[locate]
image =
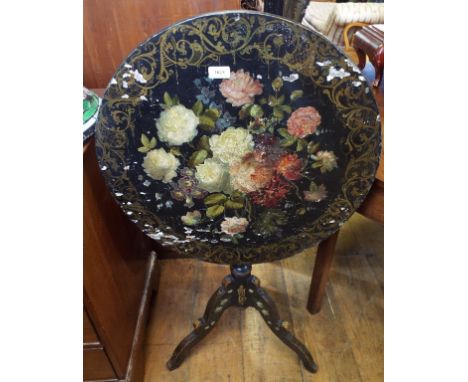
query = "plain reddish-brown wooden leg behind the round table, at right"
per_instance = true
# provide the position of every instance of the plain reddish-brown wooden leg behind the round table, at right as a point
(323, 262)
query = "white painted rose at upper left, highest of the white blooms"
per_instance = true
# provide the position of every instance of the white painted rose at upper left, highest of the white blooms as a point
(177, 125)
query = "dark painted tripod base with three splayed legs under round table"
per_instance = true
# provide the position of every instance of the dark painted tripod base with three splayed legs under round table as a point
(241, 289)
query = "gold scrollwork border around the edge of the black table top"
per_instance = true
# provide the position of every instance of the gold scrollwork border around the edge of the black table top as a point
(200, 42)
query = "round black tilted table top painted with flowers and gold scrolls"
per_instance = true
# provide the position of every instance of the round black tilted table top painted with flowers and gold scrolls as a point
(238, 137)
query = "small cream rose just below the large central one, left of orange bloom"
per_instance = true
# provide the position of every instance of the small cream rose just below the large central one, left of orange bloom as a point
(212, 175)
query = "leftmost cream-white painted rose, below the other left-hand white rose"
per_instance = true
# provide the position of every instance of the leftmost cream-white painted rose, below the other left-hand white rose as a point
(161, 165)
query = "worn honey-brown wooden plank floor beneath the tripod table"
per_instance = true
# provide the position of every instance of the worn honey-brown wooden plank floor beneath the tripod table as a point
(345, 338)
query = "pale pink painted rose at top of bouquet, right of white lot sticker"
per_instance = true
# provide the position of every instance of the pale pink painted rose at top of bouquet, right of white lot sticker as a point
(240, 89)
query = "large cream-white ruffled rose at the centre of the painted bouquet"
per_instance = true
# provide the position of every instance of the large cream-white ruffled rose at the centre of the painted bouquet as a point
(231, 145)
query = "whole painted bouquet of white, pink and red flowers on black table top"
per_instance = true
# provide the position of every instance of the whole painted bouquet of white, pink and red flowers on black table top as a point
(248, 165)
